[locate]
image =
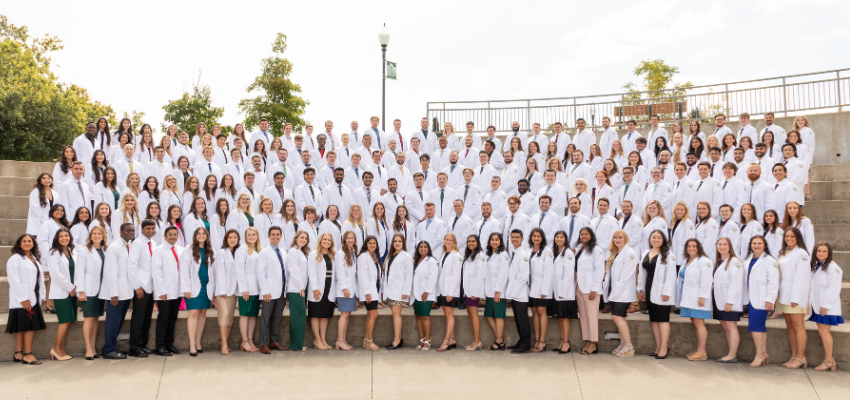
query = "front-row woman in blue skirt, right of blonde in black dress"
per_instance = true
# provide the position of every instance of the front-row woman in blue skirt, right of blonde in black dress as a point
(345, 277)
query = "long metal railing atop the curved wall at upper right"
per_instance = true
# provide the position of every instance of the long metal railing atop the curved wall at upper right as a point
(824, 90)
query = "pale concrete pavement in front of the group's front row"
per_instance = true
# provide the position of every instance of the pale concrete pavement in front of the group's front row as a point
(409, 373)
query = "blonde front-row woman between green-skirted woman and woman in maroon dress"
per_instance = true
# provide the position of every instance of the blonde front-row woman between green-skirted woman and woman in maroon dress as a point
(449, 287)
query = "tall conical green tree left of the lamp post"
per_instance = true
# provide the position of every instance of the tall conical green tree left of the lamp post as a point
(277, 98)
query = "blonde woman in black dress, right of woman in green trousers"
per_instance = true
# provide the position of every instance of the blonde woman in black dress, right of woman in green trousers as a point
(322, 289)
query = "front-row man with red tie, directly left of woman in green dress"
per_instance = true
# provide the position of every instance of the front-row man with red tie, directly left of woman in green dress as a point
(166, 289)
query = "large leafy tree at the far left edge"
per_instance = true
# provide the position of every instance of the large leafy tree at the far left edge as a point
(38, 114)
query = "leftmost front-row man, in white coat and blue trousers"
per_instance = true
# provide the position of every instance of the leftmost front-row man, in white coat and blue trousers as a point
(116, 290)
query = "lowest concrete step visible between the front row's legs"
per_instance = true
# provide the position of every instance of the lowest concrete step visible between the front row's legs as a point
(682, 337)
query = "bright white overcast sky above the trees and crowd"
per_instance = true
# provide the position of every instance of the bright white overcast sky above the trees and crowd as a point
(138, 55)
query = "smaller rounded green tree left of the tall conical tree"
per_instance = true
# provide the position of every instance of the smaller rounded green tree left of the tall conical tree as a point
(191, 109)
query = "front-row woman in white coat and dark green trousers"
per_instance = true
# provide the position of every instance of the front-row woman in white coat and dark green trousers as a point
(296, 285)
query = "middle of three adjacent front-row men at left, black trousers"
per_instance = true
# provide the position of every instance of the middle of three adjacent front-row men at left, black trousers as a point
(141, 280)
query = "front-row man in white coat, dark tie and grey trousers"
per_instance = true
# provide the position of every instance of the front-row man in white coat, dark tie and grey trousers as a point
(271, 279)
